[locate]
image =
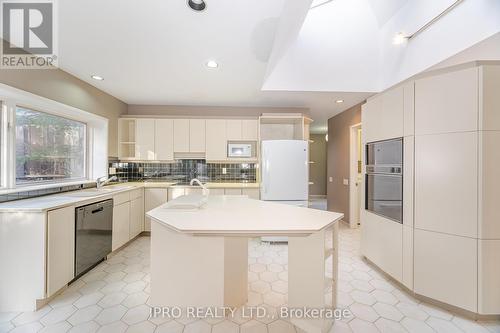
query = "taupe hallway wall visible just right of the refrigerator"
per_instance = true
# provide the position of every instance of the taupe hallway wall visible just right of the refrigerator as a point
(317, 170)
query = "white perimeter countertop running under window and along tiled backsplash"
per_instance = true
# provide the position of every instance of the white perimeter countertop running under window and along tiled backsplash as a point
(59, 200)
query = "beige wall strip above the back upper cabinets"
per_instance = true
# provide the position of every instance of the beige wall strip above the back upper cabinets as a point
(207, 111)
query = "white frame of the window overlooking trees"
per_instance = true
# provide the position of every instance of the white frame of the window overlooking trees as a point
(47, 182)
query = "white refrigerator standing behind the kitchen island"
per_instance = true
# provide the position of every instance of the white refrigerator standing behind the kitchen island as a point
(284, 174)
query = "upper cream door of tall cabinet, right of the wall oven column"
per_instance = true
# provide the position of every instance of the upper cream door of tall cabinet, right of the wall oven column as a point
(447, 103)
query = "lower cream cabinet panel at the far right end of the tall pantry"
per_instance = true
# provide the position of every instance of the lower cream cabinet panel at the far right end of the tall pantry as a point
(489, 275)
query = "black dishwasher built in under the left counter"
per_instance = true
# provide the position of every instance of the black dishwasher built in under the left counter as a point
(93, 235)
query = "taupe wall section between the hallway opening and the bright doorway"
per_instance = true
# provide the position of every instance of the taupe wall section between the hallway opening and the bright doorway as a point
(338, 159)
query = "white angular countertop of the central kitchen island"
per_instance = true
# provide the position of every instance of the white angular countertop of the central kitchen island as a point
(239, 215)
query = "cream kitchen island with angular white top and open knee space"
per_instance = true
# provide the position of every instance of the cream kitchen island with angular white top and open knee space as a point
(199, 257)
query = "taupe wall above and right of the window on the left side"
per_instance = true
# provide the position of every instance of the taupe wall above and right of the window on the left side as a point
(62, 87)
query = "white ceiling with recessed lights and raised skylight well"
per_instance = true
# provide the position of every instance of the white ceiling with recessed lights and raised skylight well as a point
(271, 52)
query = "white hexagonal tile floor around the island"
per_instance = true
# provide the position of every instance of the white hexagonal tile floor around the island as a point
(113, 298)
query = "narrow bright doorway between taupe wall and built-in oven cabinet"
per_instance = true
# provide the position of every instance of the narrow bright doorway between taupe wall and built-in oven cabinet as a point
(355, 175)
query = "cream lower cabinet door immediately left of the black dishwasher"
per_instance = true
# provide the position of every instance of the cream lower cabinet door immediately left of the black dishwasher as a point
(60, 248)
